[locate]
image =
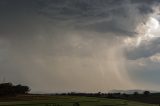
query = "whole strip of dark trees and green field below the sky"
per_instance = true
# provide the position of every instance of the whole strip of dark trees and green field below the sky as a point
(14, 95)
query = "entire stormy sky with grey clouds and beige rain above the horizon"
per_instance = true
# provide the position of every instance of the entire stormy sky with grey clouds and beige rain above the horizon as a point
(80, 45)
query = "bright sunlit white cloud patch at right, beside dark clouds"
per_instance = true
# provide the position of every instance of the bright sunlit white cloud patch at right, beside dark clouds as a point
(147, 32)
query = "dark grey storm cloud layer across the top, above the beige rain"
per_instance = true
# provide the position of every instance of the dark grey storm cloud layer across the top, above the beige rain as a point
(94, 15)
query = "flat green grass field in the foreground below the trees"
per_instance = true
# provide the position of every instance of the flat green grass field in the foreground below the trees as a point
(66, 101)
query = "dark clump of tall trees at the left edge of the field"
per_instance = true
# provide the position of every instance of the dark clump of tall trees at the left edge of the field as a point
(8, 89)
